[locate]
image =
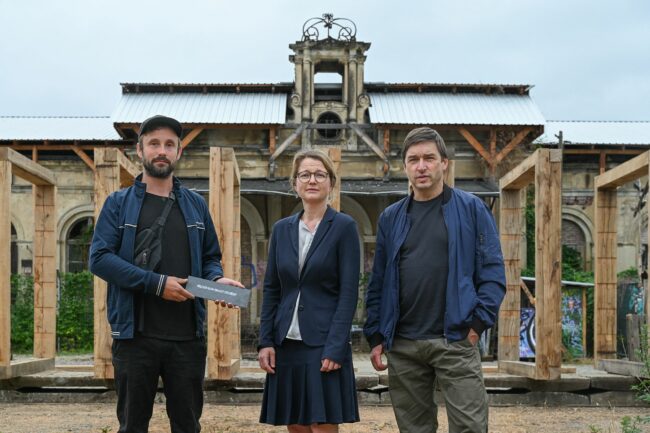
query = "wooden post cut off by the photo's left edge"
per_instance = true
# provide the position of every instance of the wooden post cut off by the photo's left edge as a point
(5, 265)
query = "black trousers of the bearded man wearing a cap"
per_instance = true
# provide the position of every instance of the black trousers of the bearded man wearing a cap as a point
(139, 362)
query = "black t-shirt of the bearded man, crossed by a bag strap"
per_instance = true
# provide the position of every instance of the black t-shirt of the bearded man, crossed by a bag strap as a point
(155, 316)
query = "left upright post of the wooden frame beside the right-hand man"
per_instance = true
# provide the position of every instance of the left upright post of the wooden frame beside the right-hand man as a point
(510, 228)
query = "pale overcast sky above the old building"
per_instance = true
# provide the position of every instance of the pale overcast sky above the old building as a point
(587, 59)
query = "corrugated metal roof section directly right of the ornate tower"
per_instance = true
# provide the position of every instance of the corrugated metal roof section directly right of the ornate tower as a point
(454, 109)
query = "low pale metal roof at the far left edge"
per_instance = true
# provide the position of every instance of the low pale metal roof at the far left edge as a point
(57, 128)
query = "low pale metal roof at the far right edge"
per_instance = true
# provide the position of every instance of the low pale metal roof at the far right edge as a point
(597, 132)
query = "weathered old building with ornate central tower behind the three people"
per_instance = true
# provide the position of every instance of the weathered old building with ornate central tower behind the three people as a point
(489, 129)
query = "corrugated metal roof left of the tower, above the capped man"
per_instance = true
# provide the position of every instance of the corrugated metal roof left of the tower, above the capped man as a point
(219, 108)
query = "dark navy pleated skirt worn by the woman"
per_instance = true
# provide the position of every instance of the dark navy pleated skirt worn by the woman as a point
(298, 393)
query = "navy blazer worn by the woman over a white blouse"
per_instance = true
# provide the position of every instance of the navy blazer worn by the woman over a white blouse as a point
(329, 284)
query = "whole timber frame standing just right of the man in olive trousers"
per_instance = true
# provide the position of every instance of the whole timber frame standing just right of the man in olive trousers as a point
(544, 169)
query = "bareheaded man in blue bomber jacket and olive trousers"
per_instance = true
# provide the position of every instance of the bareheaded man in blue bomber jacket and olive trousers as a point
(437, 282)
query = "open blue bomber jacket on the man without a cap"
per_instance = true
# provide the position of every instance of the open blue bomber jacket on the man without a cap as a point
(476, 279)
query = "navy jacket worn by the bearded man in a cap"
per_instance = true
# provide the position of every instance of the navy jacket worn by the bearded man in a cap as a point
(111, 253)
